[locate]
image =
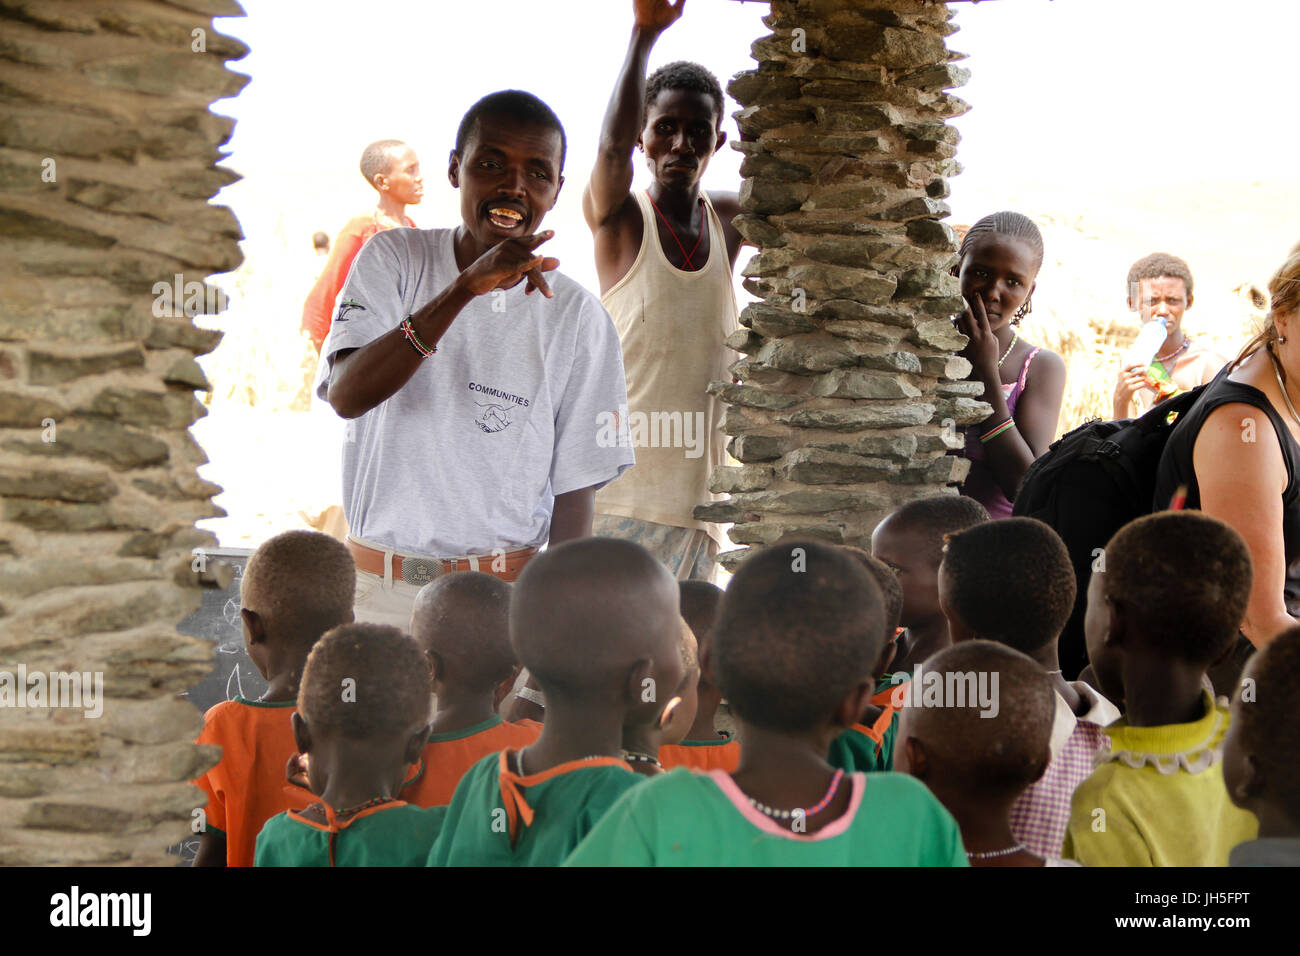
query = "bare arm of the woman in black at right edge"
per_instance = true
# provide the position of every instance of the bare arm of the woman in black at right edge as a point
(1241, 474)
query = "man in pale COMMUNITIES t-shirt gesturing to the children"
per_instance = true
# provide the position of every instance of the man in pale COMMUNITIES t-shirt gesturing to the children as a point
(475, 383)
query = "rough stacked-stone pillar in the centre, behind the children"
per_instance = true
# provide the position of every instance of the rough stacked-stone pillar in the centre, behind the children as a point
(850, 392)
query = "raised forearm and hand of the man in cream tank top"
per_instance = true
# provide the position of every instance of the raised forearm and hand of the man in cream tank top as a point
(612, 178)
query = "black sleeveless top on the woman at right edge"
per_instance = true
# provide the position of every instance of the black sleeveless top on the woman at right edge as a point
(1176, 468)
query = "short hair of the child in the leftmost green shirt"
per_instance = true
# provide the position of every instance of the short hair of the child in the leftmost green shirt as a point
(366, 682)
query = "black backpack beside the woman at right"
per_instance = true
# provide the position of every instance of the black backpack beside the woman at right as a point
(1089, 486)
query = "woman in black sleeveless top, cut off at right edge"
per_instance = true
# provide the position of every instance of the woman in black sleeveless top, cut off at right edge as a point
(1238, 455)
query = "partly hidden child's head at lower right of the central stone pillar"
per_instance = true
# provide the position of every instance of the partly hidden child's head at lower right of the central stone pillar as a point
(912, 543)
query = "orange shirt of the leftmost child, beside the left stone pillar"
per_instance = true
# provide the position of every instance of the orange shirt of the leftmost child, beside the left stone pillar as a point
(249, 786)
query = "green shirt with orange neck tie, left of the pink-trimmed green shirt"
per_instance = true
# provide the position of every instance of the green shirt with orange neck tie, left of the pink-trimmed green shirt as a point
(566, 802)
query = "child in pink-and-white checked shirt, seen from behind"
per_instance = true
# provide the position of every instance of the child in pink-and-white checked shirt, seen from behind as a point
(1012, 582)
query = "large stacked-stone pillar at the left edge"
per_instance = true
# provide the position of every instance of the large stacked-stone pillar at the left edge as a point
(109, 157)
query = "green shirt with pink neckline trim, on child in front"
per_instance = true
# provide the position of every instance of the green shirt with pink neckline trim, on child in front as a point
(704, 820)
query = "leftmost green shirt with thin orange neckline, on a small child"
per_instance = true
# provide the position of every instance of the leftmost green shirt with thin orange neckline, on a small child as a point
(396, 836)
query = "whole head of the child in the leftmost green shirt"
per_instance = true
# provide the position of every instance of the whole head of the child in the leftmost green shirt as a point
(363, 707)
